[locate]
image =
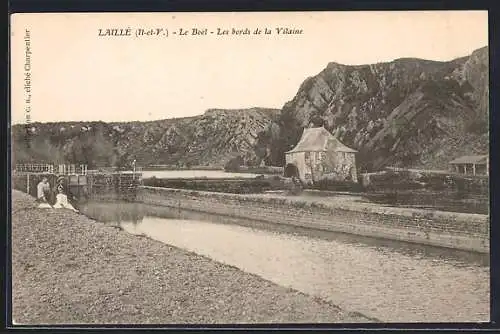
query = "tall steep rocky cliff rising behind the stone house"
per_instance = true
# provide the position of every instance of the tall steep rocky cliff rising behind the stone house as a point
(409, 112)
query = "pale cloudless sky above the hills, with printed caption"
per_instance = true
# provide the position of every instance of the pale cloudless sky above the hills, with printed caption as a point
(77, 75)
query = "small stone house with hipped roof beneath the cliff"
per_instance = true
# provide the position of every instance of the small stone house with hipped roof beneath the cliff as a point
(319, 155)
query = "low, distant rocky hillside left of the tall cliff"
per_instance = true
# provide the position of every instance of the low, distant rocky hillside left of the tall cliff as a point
(209, 139)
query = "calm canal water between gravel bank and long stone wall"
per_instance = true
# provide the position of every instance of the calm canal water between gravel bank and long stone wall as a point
(388, 280)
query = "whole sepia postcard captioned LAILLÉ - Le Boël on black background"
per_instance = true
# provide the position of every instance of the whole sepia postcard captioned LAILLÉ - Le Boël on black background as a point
(250, 168)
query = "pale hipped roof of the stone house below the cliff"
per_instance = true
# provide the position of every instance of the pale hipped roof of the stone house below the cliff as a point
(319, 139)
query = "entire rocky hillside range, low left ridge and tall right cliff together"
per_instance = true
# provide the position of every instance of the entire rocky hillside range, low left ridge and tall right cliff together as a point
(408, 113)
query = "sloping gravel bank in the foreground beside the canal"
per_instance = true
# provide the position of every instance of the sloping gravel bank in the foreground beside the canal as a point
(69, 269)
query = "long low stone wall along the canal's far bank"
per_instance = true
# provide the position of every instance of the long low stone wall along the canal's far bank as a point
(437, 228)
